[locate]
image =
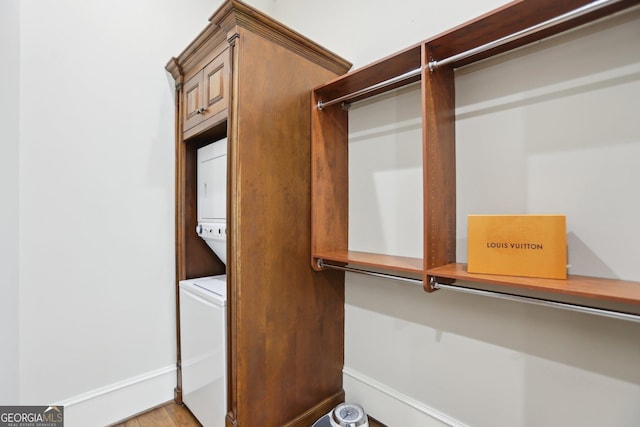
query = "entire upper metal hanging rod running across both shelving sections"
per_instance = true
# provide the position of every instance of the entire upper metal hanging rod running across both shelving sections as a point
(434, 64)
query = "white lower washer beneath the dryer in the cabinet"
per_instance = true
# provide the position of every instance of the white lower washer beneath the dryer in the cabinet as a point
(203, 338)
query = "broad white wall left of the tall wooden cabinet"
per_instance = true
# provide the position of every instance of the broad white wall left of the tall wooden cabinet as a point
(97, 314)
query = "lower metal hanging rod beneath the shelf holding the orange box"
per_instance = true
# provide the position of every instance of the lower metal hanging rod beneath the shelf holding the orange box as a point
(538, 301)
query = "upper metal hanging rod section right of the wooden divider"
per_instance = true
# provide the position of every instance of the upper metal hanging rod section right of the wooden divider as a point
(591, 7)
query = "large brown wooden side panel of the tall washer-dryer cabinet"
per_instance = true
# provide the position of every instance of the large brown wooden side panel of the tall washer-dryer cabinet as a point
(289, 319)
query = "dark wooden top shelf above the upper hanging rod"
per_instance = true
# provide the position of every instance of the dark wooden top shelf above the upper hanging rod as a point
(489, 35)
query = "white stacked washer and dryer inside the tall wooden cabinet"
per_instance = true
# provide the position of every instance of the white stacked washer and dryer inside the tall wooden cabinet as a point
(203, 301)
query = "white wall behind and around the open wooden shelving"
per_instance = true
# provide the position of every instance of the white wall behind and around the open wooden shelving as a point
(552, 128)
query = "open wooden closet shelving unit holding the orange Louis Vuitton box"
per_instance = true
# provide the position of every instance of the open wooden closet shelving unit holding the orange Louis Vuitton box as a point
(432, 62)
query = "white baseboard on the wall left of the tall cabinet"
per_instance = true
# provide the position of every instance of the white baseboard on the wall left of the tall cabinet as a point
(121, 400)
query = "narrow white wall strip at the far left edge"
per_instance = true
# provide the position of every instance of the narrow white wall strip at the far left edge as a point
(9, 135)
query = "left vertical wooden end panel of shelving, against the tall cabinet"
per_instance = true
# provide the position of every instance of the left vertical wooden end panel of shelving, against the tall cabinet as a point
(329, 180)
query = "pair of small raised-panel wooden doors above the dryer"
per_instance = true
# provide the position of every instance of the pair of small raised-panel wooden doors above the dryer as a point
(206, 95)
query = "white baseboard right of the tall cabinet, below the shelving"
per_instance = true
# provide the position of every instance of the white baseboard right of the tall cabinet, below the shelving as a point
(390, 406)
